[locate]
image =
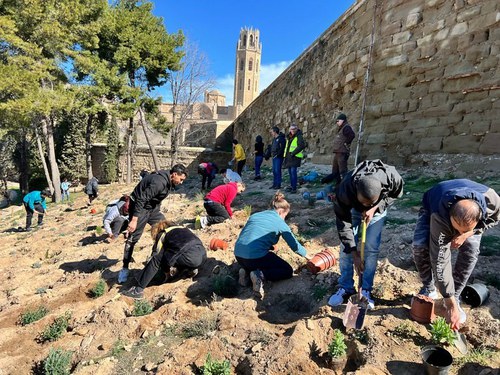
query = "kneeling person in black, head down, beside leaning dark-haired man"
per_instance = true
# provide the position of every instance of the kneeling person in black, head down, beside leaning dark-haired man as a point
(177, 251)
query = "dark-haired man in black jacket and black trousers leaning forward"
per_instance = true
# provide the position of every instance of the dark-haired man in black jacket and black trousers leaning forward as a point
(145, 202)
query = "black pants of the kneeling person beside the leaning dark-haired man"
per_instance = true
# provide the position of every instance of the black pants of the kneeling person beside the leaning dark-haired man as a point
(190, 257)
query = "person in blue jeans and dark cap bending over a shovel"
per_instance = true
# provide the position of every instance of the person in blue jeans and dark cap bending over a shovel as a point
(363, 194)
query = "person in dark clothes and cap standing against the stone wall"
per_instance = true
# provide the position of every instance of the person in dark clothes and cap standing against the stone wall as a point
(341, 150)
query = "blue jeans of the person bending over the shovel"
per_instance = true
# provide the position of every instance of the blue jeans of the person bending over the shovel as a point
(372, 245)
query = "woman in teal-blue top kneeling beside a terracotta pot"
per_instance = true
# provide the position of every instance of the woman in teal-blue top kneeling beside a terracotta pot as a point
(253, 247)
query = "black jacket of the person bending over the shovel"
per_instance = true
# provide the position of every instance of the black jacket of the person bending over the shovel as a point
(346, 196)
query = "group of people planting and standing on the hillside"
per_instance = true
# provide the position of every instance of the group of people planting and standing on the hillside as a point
(454, 215)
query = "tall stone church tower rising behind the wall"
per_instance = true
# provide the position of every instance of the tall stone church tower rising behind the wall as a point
(246, 77)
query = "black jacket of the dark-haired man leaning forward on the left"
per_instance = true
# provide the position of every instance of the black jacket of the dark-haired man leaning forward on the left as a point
(149, 193)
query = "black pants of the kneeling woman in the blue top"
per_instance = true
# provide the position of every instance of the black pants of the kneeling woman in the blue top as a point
(272, 266)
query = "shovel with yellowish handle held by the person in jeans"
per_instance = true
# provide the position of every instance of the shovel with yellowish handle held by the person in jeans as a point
(355, 312)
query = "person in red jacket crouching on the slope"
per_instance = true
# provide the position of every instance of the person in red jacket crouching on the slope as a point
(217, 203)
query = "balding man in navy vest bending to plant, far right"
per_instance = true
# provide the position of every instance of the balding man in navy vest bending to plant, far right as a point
(454, 214)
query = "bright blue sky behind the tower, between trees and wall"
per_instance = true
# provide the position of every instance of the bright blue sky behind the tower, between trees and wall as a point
(286, 29)
